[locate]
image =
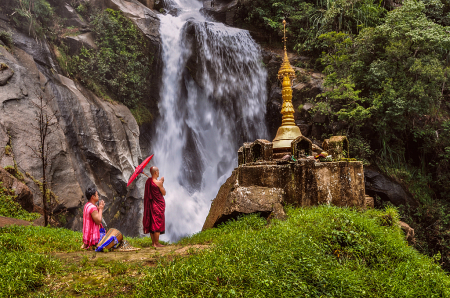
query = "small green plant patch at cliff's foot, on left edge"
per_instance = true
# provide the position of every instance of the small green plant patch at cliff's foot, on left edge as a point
(10, 208)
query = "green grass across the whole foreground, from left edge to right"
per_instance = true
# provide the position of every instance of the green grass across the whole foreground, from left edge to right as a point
(317, 252)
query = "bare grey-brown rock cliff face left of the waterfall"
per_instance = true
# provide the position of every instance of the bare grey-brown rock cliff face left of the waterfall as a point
(94, 141)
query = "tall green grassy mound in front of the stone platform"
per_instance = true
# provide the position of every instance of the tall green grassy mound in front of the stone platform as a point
(317, 252)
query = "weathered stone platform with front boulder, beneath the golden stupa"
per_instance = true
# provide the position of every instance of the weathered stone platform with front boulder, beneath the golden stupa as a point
(266, 186)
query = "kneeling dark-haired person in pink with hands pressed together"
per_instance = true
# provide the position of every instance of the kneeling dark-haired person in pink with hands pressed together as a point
(92, 218)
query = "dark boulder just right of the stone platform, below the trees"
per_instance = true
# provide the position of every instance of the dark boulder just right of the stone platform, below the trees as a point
(377, 184)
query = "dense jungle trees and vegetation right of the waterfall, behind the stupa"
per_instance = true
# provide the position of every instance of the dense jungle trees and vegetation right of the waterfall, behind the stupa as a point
(387, 67)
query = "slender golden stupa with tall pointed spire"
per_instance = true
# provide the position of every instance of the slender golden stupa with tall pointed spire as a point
(288, 131)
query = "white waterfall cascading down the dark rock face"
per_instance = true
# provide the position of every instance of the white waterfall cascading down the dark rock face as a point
(206, 112)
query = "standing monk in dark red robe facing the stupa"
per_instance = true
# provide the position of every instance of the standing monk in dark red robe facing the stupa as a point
(154, 207)
